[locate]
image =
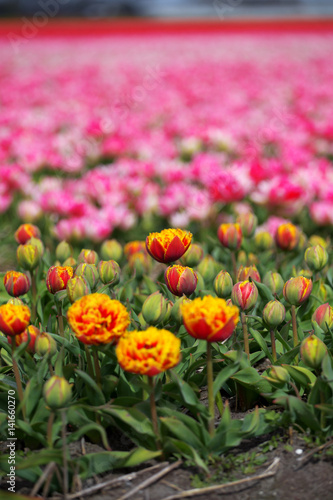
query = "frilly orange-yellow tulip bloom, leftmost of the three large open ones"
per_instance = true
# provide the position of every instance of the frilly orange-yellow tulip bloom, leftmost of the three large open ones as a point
(96, 319)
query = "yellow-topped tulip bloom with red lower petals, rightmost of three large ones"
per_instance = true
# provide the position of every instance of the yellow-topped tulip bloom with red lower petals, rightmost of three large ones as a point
(209, 318)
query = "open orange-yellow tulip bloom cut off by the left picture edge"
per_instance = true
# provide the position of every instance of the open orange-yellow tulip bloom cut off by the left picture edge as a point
(14, 319)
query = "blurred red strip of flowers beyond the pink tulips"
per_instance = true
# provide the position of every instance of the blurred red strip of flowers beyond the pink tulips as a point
(88, 27)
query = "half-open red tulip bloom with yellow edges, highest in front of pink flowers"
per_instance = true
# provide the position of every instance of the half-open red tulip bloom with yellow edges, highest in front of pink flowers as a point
(168, 245)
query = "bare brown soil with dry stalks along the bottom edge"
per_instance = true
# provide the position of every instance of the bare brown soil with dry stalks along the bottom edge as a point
(298, 476)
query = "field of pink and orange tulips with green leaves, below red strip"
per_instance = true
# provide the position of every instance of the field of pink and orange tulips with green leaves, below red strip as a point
(166, 279)
